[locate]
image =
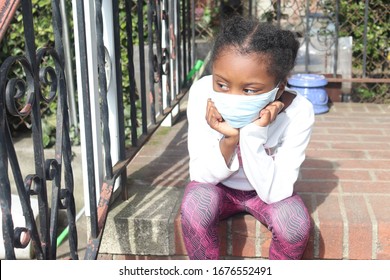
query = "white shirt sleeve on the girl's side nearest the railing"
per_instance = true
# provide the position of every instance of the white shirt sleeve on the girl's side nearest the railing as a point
(206, 160)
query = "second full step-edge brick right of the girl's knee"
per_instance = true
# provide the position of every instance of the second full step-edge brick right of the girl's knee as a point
(359, 228)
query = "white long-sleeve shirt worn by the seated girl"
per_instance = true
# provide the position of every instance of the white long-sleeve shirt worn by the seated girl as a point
(268, 158)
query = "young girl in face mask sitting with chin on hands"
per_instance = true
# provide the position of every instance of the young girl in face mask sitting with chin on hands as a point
(247, 137)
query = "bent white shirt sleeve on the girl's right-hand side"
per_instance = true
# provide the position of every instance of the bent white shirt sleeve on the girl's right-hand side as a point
(273, 177)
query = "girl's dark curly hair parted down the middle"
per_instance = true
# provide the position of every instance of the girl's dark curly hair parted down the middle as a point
(277, 47)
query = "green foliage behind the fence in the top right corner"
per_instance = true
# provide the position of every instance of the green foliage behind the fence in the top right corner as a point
(377, 47)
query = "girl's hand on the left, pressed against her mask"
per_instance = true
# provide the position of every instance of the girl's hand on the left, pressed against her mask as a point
(216, 122)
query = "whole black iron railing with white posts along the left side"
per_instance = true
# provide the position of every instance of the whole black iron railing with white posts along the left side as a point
(106, 77)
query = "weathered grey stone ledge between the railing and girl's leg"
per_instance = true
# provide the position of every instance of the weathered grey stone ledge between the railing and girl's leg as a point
(144, 224)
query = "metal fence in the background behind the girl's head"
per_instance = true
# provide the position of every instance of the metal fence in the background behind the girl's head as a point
(346, 40)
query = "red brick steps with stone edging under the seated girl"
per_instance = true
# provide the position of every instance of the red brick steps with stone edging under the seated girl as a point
(344, 181)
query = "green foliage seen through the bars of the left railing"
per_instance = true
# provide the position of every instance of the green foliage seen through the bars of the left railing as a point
(13, 44)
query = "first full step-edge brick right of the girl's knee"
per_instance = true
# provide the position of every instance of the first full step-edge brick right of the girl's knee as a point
(331, 227)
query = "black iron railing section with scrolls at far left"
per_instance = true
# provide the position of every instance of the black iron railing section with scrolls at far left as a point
(43, 82)
